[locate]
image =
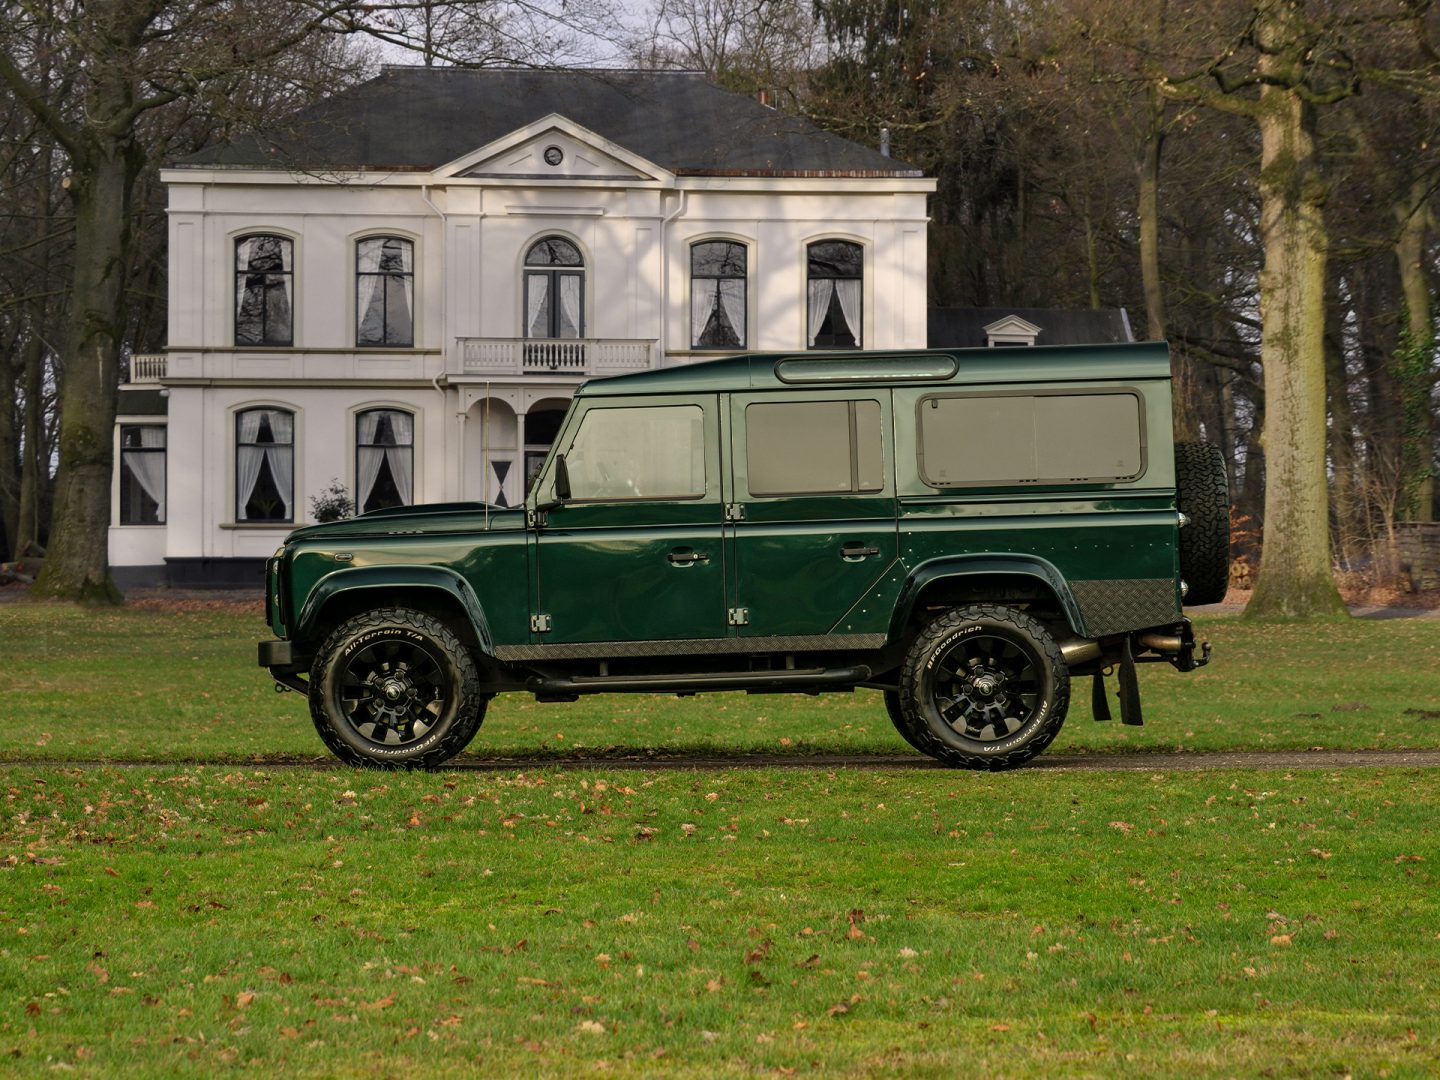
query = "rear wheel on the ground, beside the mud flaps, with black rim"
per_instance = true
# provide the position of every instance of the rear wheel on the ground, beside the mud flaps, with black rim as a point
(1016, 672)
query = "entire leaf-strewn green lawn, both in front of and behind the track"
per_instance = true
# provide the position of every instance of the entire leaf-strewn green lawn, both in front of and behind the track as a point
(185, 919)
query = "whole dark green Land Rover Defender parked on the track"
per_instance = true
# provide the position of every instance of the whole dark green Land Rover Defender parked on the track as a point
(963, 531)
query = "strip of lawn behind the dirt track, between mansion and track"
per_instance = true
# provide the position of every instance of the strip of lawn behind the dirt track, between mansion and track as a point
(143, 685)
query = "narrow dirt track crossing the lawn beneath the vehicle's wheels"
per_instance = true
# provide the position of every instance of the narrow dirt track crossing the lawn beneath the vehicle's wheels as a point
(679, 762)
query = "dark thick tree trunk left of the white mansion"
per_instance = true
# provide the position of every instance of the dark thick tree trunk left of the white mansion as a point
(77, 564)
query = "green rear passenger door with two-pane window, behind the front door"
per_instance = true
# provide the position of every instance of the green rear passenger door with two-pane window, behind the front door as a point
(814, 480)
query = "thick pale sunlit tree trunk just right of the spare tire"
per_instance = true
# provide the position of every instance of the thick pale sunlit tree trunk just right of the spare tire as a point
(1295, 562)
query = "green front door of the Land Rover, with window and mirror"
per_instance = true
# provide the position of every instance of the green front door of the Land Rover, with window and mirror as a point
(637, 551)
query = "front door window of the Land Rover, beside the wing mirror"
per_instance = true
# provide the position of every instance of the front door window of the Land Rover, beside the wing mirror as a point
(639, 453)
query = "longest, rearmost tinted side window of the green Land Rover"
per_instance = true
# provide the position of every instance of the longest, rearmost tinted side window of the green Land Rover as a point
(1039, 438)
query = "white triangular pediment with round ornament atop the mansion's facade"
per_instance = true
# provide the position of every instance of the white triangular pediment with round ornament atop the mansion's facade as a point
(557, 149)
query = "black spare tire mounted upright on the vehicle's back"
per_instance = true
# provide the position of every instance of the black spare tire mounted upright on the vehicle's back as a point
(1203, 496)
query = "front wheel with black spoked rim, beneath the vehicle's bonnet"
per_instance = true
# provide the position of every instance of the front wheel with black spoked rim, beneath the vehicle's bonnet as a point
(437, 666)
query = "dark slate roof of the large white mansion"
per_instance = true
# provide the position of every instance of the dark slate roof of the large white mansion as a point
(420, 119)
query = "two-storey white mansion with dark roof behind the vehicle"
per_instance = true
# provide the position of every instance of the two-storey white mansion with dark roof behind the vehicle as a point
(402, 287)
